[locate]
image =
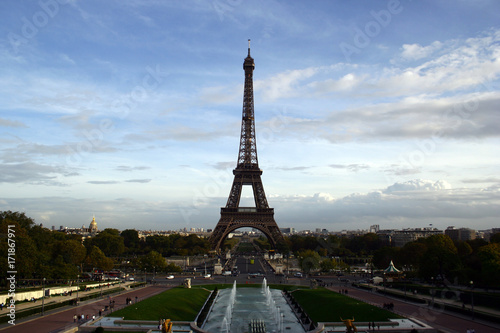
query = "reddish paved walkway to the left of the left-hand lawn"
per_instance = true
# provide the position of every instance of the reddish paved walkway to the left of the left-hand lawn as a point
(62, 318)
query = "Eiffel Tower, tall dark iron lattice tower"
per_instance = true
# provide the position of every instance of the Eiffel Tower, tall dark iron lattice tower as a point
(247, 172)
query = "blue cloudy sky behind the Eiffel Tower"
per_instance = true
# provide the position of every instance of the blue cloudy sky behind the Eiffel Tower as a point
(367, 112)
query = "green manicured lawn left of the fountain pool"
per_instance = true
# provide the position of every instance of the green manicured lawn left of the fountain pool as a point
(175, 304)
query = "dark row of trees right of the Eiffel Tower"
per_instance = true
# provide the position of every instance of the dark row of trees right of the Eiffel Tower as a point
(435, 258)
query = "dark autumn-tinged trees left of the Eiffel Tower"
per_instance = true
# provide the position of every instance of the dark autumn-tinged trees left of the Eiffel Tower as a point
(42, 253)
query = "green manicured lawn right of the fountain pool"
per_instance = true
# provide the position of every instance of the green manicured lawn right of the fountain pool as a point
(323, 305)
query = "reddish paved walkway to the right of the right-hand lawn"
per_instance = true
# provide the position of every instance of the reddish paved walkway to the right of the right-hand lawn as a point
(438, 318)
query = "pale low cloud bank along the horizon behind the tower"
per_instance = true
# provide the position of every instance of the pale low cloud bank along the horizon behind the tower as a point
(415, 203)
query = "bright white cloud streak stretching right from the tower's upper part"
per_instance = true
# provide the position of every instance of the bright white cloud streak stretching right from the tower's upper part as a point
(459, 65)
